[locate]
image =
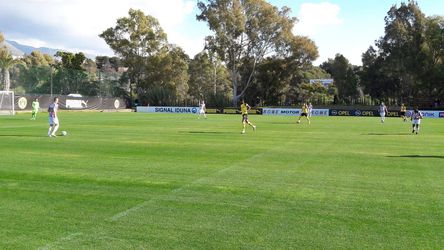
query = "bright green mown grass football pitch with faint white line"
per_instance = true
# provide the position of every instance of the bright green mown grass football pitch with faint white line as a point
(144, 181)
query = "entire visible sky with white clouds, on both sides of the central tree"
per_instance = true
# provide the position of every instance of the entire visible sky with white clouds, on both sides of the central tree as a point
(348, 27)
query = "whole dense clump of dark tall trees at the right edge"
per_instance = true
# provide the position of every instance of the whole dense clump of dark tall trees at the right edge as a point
(408, 61)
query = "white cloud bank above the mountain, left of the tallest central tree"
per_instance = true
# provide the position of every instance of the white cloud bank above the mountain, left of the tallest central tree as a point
(77, 23)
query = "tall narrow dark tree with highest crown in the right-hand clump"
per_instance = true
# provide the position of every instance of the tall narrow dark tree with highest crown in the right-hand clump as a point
(400, 47)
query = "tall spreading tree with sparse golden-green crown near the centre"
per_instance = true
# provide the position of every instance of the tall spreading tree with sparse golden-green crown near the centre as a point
(245, 32)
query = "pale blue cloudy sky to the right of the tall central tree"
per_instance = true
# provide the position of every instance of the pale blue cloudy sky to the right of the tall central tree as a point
(350, 26)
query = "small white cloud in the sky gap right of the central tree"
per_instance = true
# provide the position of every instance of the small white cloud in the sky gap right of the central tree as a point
(313, 17)
